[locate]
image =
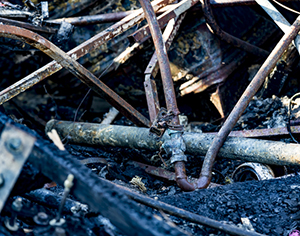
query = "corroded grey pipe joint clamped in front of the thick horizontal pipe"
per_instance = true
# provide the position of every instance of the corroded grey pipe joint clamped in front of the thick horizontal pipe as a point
(175, 146)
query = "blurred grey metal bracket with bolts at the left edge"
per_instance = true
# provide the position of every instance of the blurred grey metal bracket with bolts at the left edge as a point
(15, 147)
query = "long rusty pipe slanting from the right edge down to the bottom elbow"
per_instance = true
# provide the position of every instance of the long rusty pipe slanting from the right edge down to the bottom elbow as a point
(243, 102)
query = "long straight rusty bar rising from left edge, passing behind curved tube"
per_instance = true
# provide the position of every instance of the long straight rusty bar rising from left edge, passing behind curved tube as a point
(78, 52)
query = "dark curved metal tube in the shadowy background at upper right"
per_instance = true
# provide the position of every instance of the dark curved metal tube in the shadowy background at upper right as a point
(215, 28)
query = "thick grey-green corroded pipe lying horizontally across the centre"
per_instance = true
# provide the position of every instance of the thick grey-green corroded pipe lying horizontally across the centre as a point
(248, 149)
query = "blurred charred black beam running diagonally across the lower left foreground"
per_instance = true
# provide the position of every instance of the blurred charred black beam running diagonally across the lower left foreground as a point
(101, 196)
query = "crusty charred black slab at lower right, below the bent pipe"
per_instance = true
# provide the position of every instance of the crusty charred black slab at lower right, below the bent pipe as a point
(272, 206)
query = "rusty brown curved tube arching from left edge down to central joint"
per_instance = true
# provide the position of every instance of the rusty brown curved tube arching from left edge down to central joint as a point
(75, 68)
